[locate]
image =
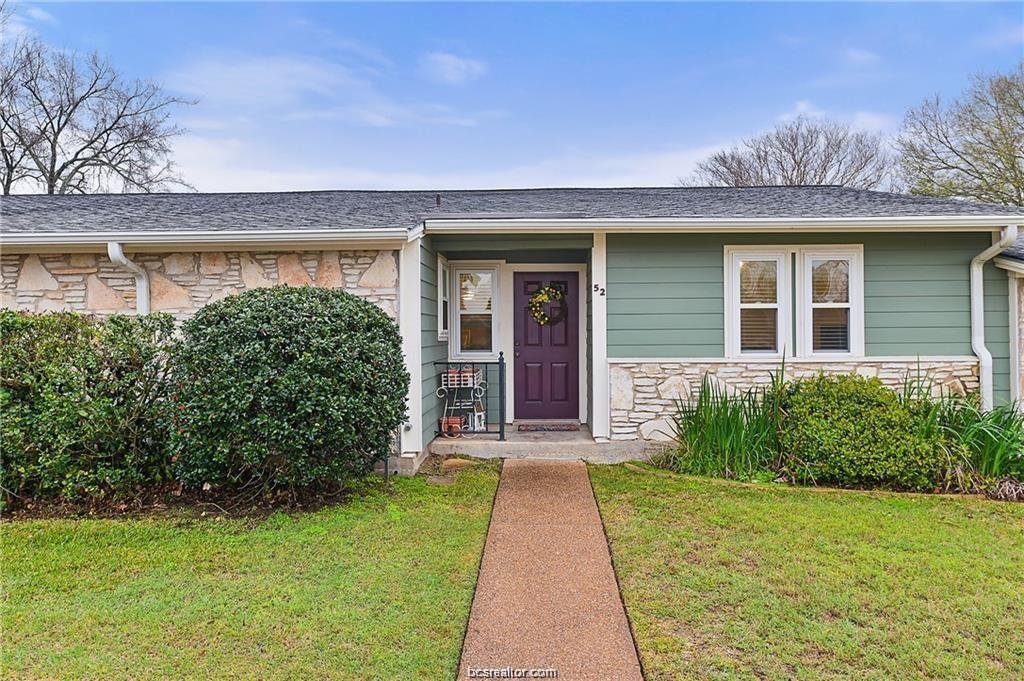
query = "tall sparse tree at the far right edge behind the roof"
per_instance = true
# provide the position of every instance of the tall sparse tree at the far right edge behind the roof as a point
(972, 149)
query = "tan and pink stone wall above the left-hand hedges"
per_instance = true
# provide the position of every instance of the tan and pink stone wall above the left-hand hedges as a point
(182, 283)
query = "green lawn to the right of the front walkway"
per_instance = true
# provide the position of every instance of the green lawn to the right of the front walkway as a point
(724, 580)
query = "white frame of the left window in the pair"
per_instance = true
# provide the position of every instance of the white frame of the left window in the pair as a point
(784, 301)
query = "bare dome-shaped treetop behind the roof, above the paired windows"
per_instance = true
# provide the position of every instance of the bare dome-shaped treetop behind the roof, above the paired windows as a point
(804, 151)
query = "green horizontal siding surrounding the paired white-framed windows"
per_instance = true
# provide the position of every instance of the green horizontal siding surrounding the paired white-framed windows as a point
(666, 295)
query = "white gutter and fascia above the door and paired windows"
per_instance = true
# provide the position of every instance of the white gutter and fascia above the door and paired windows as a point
(780, 225)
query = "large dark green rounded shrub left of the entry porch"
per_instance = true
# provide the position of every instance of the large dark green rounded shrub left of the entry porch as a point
(286, 389)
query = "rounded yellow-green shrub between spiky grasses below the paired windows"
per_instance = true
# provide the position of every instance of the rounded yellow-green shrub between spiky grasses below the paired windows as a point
(855, 432)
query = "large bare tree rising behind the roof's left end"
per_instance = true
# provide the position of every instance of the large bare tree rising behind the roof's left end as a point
(72, 124)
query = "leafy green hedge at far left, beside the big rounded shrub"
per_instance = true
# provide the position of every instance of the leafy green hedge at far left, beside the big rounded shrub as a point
(83, 404)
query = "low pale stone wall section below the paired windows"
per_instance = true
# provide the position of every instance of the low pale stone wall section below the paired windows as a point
(644, 395)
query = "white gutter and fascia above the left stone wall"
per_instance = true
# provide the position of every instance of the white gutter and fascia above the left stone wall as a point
(202, 238)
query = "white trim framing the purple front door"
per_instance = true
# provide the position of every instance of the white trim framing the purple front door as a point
(506, 316)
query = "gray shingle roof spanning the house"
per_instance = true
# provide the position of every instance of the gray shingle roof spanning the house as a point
(369, 210)
